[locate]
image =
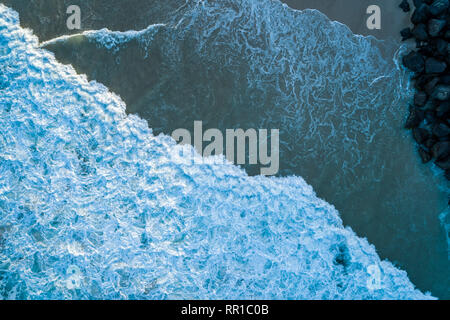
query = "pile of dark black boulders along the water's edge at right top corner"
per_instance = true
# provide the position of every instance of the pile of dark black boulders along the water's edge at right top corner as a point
(429, 116)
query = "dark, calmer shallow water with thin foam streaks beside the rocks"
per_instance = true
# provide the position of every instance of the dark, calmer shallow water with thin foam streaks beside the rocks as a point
(339, 99)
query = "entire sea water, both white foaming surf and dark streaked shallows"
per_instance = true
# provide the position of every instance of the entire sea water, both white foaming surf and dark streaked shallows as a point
(338, 99)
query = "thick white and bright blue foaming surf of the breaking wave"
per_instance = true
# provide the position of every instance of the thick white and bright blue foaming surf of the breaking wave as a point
(94, 205)
